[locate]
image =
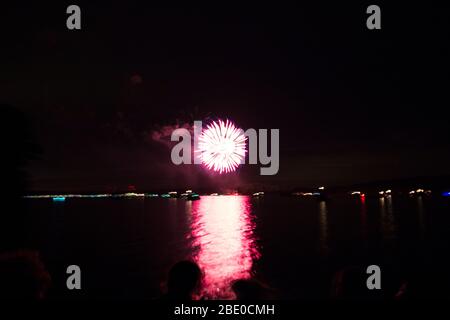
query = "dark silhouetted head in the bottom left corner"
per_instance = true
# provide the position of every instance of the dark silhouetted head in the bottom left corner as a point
(23, 276)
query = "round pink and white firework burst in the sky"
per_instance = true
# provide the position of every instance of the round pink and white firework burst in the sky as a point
(221, 146)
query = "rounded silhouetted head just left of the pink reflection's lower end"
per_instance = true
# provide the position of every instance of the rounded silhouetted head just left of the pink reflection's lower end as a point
(183, 281)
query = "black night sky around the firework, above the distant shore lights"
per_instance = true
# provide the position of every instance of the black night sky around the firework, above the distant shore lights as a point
(352, 105)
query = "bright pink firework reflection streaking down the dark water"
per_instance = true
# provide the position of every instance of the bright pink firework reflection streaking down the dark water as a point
(224, 243)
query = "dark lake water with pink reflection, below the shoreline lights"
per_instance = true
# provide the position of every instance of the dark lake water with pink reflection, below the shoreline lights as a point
(125, 247)
